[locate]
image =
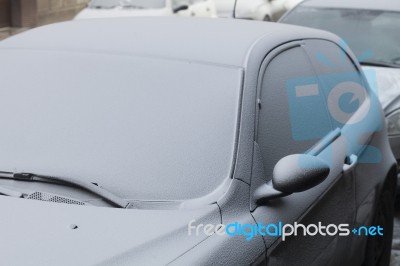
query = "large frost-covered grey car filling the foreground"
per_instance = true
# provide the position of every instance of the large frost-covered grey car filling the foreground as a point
(117, 142)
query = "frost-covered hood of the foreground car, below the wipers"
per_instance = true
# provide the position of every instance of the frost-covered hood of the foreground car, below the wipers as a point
(43, 233)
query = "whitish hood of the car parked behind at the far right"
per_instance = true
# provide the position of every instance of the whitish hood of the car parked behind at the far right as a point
(388, 81)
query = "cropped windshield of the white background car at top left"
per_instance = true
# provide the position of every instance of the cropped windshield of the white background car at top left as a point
(141, 4)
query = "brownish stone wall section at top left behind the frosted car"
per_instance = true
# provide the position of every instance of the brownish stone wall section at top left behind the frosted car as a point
(50, 11)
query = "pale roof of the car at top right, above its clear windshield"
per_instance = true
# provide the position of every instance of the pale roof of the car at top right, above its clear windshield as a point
(386, 5)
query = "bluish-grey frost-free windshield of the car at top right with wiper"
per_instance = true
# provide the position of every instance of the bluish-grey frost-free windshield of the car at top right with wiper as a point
(373, 35)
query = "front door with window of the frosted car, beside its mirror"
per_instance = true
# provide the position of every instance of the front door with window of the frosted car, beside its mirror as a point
(302, 94)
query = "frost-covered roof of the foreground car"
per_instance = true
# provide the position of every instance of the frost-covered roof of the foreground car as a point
(215, 41)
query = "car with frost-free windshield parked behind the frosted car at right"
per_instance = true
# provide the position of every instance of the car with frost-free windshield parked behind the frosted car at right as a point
(364, 25)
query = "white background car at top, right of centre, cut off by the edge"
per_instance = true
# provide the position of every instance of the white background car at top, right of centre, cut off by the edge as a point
(266, 10)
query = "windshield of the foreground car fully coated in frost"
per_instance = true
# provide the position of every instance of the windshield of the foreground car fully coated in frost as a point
(142, 128)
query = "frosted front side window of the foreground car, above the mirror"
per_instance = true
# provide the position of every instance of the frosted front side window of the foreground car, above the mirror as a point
(293, 114)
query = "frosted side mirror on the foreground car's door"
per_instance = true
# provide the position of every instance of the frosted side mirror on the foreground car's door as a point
(293, 173)
